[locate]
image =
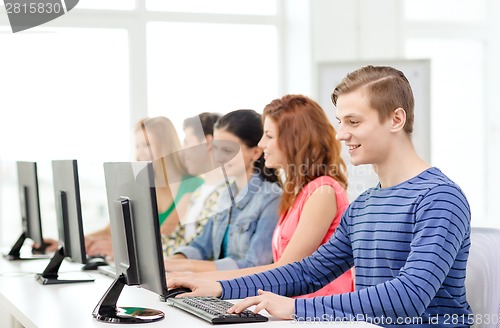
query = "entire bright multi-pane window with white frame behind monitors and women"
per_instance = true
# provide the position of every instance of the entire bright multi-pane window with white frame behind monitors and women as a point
(76, 85)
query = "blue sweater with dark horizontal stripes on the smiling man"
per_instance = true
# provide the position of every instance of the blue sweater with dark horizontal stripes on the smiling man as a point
(409, 245)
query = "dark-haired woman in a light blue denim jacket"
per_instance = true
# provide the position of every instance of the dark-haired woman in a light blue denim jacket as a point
(238, 236)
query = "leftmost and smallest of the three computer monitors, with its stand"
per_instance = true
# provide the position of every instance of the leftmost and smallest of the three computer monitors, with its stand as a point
(30, 213)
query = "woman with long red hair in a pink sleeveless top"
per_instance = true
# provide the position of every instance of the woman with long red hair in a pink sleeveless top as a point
(300, 143)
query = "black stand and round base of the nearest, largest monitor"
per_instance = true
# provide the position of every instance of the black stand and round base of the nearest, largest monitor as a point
(107, 311)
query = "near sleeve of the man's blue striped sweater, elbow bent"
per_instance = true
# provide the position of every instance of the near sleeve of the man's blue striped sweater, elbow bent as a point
(442, 221)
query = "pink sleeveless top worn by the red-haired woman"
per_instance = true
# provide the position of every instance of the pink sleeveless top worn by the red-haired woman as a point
(288, 224)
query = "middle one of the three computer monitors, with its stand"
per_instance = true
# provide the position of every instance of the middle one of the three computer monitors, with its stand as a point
(69, 224)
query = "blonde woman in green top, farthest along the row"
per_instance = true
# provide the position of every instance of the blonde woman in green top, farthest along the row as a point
(157, 141)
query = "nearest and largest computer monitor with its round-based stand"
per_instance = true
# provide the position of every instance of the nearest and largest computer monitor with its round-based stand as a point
(136, 238)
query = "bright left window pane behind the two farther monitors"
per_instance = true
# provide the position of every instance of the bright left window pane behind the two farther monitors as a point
(64, 101)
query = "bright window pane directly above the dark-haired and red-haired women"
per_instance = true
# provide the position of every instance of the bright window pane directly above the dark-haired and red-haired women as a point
(210, 67)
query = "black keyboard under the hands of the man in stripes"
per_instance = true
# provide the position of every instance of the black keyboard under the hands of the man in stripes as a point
(214, 310)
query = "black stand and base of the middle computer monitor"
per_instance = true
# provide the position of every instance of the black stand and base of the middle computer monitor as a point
(51, 276)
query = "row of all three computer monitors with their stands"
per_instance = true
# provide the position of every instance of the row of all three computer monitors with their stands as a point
(134, 226)
